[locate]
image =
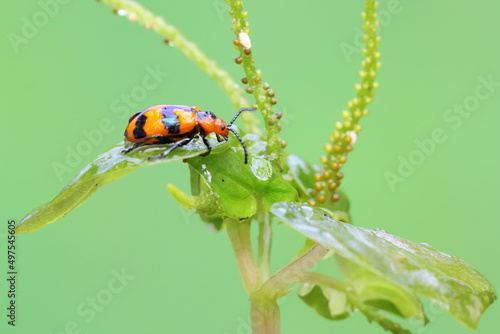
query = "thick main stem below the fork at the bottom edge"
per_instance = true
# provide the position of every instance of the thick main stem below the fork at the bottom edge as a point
(265, 316)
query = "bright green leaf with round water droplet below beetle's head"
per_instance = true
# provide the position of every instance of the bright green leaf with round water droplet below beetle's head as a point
(242, 189)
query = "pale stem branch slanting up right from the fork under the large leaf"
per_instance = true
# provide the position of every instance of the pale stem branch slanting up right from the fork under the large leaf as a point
(291, 273)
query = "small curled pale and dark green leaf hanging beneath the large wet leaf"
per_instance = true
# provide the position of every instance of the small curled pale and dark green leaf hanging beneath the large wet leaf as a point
(327, 302)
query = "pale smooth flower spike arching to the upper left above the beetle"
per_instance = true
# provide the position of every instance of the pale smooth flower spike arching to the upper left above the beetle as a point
(172, 35)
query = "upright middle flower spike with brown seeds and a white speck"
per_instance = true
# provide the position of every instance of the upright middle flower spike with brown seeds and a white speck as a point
(264, 98)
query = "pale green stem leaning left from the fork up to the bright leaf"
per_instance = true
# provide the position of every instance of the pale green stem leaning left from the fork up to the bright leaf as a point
(239, 235)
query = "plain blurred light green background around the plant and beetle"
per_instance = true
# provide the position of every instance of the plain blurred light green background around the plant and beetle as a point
(73, 71)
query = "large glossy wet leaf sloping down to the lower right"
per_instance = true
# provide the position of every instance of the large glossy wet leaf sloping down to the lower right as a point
(444, 279)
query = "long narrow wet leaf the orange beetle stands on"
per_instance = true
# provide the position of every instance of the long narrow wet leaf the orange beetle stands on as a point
(106, 168)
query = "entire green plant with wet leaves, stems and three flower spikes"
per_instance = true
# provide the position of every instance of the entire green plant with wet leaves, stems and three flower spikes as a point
(383, 273)
